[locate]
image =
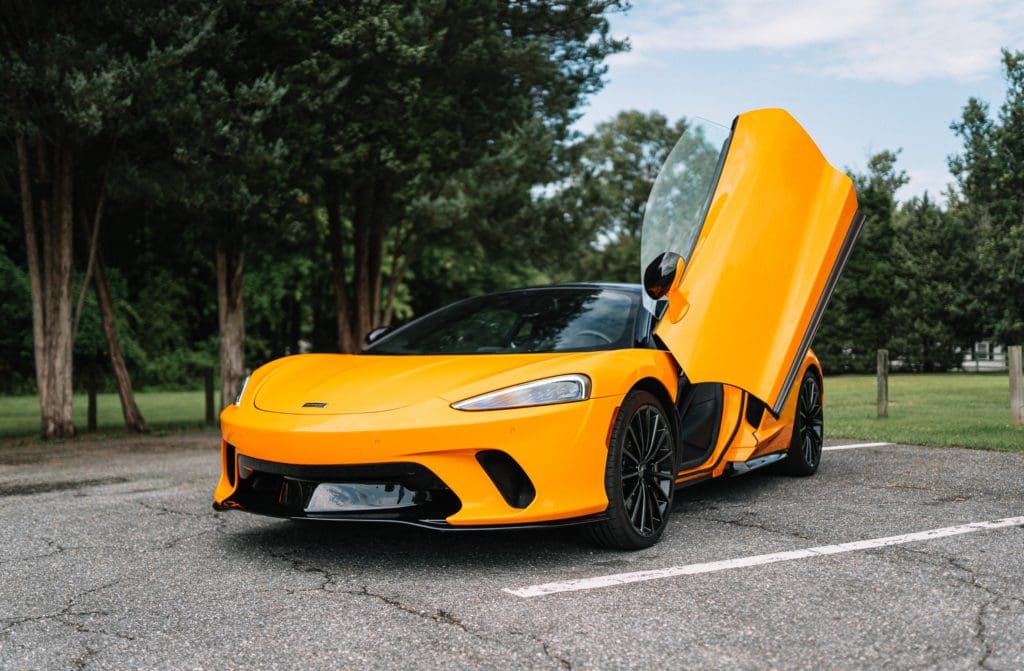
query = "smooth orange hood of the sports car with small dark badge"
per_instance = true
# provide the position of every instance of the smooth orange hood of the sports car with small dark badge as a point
(373, 384)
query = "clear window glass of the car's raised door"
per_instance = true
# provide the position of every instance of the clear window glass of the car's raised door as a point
(679, 199)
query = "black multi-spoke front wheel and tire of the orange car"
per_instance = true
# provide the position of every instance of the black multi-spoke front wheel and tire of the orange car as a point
(641, 476)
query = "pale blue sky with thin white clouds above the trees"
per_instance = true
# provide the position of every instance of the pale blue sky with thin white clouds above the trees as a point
(862, 77)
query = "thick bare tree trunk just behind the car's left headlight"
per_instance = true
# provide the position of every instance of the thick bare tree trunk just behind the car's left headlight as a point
(231, 318)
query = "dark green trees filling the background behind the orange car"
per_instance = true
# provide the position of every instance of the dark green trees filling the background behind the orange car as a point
(245, 181)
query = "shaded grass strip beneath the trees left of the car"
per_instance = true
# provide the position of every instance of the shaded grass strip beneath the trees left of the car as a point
(163, 411)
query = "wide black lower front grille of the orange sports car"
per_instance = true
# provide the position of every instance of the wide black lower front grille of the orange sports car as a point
(385, 492)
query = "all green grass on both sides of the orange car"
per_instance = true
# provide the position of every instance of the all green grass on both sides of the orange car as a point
(971, 411)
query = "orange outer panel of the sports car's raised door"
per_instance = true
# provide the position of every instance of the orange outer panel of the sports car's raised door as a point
(776, 230)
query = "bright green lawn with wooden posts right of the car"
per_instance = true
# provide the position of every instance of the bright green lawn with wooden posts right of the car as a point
(961, 410)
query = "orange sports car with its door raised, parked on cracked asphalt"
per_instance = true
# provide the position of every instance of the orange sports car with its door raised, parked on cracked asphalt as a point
(584, 404)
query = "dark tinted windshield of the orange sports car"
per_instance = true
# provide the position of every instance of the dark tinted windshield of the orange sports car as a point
(532, 321)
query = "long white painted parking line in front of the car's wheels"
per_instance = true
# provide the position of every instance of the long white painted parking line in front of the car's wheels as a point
(756, 561)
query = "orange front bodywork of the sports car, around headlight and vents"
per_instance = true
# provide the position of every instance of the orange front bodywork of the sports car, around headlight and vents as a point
(562, 447)
